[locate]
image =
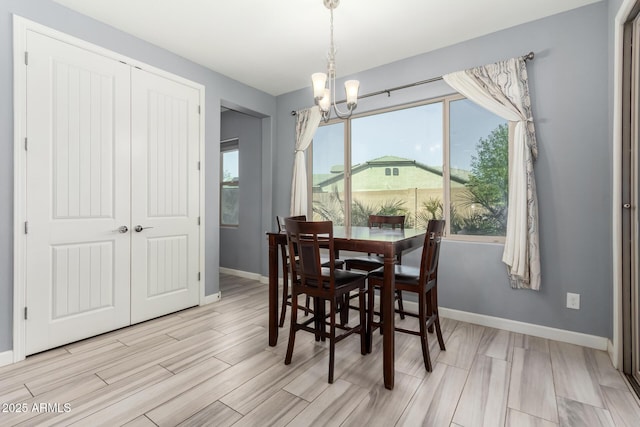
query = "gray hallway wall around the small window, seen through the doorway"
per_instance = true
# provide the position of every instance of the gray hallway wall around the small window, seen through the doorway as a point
(244, 257)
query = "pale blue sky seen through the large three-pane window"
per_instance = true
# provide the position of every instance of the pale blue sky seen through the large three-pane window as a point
(415, 133)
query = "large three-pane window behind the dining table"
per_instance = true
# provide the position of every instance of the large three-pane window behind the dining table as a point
(396, 167)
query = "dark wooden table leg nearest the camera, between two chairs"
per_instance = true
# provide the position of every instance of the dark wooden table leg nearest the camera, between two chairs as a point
(388, 320)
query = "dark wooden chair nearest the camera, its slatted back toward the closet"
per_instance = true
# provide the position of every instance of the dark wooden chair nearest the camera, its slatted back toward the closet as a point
(323, 284)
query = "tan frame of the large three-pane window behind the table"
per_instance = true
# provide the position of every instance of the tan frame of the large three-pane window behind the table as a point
(446, 154)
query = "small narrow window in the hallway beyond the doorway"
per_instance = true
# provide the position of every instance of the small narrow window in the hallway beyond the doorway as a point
(229, 182)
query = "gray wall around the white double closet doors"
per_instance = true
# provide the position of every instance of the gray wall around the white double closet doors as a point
(219, 89)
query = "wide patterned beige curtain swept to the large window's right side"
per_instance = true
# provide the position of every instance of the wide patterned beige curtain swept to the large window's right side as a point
(503, 89)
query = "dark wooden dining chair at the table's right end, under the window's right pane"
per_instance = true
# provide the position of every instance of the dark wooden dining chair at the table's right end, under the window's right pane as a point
(422, 281)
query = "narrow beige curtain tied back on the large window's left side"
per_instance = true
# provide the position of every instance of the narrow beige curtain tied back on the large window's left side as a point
(307, 122)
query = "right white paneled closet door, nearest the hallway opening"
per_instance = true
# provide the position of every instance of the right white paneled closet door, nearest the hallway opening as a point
(165, 196)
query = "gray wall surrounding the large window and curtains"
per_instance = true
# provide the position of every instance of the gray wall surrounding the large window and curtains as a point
(570, 96)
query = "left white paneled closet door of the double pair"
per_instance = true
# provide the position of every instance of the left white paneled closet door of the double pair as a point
(78, 193)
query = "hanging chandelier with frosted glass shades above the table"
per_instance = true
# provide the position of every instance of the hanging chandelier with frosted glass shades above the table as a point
(324, 84)
